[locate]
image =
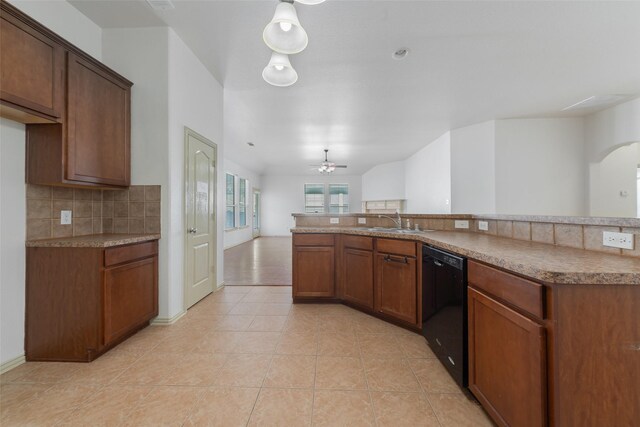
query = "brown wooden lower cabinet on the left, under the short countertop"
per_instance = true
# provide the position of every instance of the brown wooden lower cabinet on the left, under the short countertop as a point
(82, 301)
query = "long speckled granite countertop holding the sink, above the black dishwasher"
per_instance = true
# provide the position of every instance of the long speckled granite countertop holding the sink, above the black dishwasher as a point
(539, 261)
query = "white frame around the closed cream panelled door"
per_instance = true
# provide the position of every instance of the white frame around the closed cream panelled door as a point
(189, 132)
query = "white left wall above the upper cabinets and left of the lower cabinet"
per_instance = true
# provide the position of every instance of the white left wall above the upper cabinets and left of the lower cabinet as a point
(65, 20)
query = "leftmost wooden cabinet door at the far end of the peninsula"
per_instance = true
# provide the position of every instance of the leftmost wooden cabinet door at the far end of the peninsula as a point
(313, 271)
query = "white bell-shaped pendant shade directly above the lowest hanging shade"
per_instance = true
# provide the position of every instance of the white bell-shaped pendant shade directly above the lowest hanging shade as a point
(284, 34)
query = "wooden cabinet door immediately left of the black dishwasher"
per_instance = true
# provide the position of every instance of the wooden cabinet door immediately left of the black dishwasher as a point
(396, 286)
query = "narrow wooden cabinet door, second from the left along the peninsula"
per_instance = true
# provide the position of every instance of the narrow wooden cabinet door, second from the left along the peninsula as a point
(358, 277)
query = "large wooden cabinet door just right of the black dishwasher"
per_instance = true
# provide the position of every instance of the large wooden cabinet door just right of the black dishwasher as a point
(506, 363)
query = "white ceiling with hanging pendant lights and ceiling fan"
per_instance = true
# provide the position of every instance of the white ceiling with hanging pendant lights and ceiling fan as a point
(469, 62)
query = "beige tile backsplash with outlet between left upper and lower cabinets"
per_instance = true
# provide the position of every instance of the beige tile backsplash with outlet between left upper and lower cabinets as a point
(132, 211)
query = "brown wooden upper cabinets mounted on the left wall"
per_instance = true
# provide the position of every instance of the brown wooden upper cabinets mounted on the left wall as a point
(76, 109)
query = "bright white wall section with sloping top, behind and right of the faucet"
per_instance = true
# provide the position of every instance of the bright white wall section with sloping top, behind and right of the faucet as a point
(428, 178)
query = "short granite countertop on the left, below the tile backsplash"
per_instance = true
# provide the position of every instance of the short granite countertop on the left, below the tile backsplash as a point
(92, 241)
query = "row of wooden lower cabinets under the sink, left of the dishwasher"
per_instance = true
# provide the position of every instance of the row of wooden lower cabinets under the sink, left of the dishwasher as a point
(381, 283)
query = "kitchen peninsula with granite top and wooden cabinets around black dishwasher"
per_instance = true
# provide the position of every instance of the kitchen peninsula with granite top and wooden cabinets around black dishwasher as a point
(552, 340)
